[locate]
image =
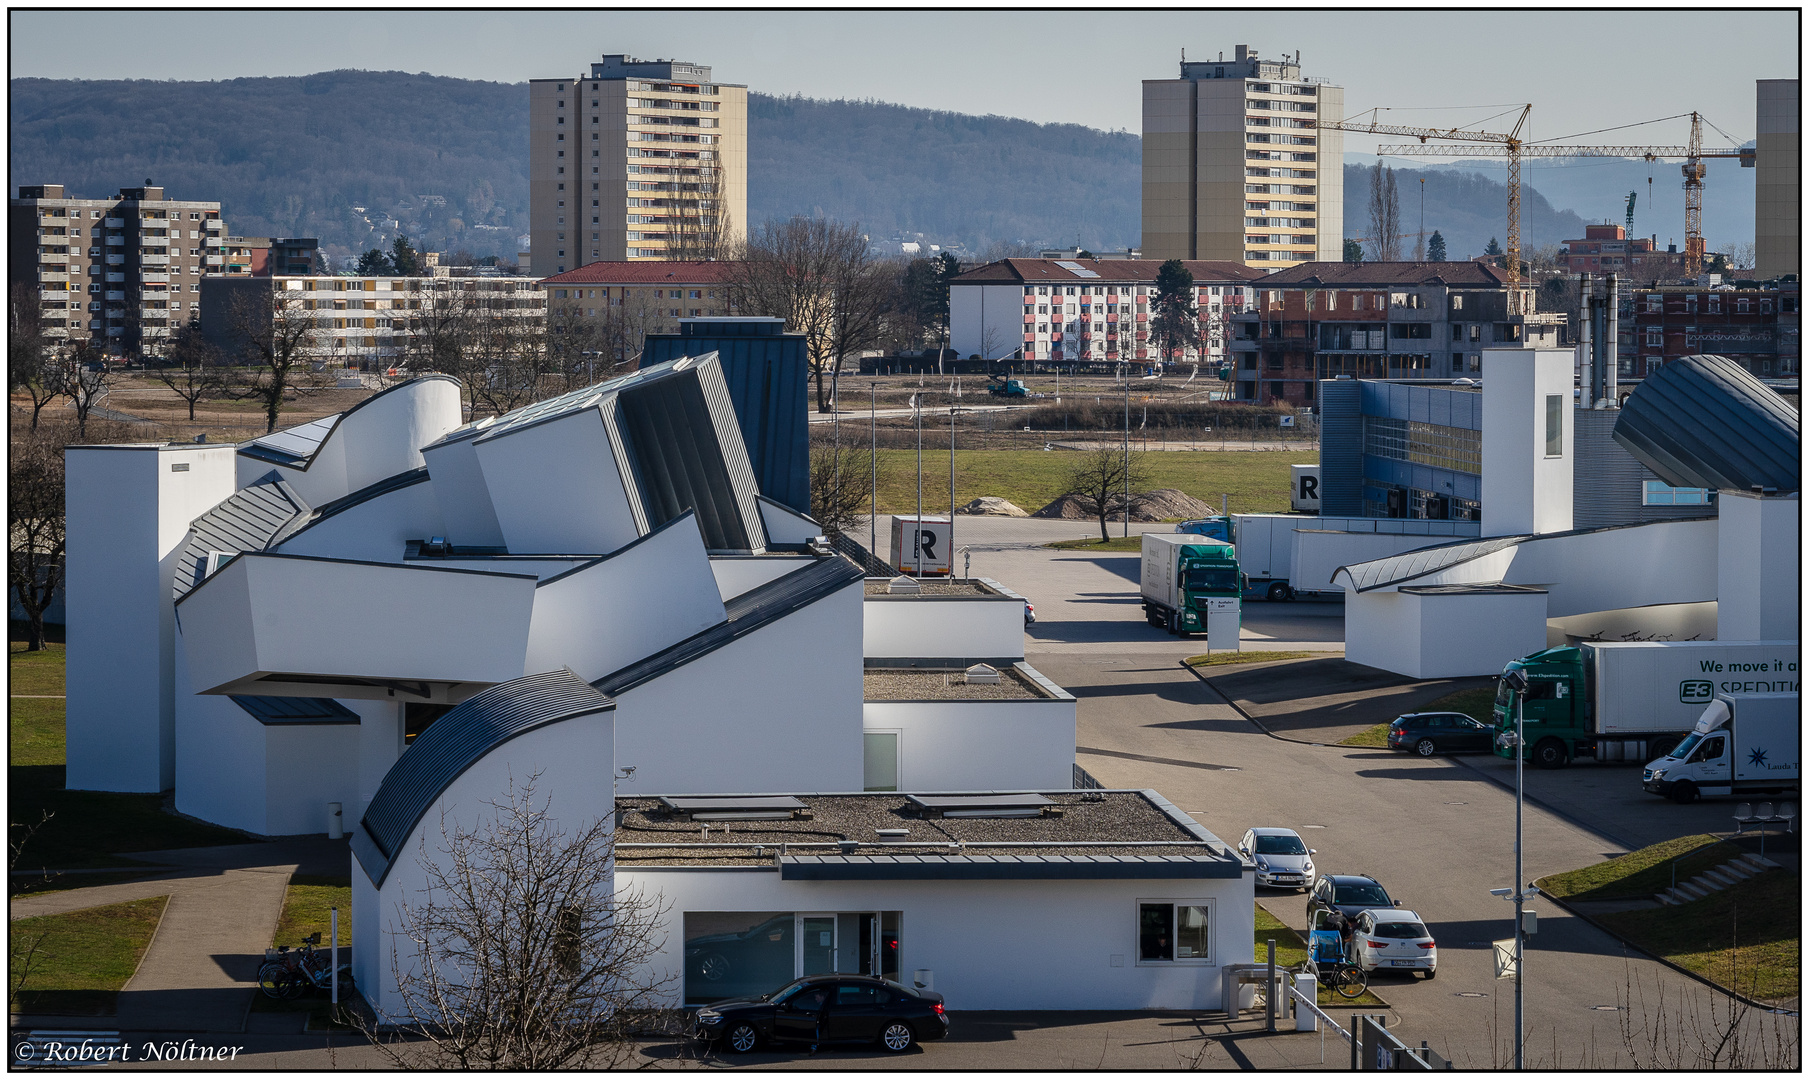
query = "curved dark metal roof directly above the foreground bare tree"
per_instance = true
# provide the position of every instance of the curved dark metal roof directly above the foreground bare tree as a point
(457, 743)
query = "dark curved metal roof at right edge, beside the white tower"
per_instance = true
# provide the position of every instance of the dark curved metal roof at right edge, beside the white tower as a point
(1709, 422)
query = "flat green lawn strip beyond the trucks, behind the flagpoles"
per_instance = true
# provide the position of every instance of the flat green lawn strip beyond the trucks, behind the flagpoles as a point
(1034, 478)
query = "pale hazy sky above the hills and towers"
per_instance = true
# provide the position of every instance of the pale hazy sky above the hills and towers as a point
(1582, 71)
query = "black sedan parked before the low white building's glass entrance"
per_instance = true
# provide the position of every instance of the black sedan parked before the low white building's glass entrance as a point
(828, 1010)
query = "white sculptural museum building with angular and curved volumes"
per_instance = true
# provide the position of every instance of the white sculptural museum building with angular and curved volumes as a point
(399, 614)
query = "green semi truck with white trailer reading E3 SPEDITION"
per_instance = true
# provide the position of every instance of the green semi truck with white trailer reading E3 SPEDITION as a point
(1631, 701)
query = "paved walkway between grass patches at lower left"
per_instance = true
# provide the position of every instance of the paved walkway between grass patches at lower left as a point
(202, 967)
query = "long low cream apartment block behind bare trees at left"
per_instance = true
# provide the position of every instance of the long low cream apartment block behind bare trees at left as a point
(365, 321)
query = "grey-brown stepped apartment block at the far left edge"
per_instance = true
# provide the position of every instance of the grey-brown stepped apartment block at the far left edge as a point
(120, 272)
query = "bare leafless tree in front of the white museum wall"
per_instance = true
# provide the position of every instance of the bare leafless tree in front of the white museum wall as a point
(526, 952)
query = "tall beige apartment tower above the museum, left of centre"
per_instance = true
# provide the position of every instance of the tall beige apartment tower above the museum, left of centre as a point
(630, 156)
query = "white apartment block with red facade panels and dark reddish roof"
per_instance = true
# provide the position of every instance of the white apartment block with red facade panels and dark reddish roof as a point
(1079, 312)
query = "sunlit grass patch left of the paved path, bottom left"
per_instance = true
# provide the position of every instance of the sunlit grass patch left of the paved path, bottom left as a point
(84, 960)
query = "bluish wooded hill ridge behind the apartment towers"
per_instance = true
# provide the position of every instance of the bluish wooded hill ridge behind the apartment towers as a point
(357, 156)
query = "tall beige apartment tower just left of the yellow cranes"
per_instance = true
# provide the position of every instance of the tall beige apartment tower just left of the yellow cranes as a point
(1235, 167)
